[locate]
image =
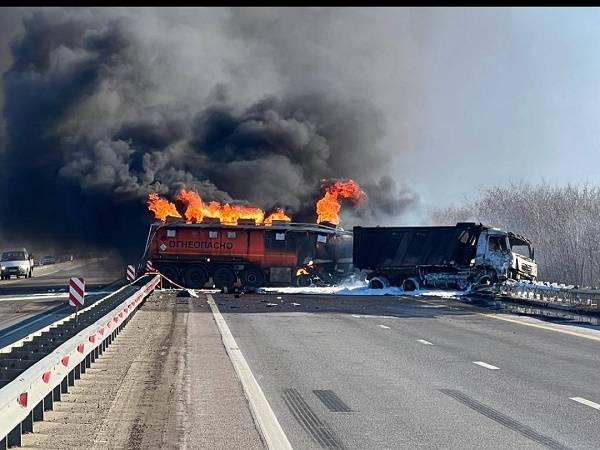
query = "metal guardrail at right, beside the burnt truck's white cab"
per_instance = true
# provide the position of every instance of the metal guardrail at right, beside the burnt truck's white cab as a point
(583, 299)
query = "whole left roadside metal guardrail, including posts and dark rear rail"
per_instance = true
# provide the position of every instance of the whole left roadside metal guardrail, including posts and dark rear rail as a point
(33, 376)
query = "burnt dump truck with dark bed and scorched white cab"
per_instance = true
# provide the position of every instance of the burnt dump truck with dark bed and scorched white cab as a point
(460, 256)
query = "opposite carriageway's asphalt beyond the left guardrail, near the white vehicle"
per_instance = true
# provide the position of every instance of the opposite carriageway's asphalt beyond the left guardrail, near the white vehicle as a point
(27, 304)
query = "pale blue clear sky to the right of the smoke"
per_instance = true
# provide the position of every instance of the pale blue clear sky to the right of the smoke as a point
(496, 95)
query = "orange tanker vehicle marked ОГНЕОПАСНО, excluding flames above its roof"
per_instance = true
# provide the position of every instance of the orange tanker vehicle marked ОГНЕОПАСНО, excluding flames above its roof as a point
(246, 254)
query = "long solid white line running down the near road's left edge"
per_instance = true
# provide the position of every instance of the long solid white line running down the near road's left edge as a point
(265, 418)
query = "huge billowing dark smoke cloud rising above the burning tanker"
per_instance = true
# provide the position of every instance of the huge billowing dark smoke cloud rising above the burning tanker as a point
(96, 118)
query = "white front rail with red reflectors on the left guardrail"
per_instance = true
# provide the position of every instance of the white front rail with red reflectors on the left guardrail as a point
(19, 398)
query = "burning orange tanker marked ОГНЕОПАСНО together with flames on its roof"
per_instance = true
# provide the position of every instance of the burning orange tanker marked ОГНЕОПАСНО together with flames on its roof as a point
(240, 246)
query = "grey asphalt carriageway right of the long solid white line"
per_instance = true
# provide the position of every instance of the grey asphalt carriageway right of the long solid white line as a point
(432, 375)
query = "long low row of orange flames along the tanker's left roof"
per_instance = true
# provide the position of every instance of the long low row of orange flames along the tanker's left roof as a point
(196, 210)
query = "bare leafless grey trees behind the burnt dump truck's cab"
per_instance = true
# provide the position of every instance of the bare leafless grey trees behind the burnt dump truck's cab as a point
(562, 222)
